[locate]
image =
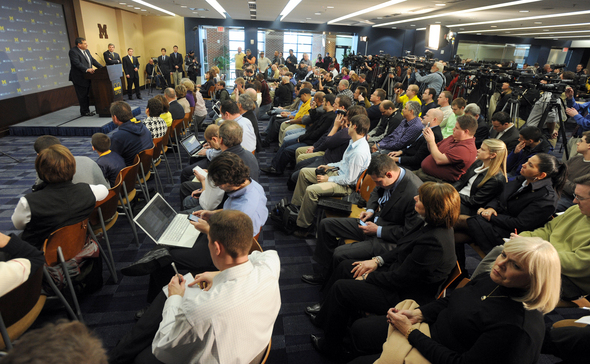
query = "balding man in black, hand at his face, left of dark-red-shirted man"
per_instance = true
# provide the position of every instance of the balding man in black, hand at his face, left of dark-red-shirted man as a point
(411, 157)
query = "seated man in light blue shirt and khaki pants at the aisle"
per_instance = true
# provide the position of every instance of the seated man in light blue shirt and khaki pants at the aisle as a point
(310, 188)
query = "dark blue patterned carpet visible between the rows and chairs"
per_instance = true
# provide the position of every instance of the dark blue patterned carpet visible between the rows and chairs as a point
(110, 312)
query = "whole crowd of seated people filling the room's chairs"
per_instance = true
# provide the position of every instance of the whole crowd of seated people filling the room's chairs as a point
(444, 177)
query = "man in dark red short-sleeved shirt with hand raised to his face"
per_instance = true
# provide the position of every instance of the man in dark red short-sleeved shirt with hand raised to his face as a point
(451, 157)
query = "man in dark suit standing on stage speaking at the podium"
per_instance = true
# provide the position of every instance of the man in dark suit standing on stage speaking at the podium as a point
(82, 62)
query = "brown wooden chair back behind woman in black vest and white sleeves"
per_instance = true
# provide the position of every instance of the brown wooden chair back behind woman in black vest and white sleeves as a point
(71, 238)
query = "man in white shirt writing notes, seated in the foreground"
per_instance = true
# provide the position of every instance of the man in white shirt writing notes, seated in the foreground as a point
(230, 320)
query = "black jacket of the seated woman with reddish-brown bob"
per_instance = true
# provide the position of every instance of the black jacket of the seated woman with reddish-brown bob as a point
(419, 264)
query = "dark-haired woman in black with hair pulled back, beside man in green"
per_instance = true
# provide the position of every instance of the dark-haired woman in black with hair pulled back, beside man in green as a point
(526, 203)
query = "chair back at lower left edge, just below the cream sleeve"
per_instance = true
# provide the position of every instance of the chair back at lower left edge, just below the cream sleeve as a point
(20, 307)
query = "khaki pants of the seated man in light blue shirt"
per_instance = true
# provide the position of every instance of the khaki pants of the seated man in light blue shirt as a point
(308, 192)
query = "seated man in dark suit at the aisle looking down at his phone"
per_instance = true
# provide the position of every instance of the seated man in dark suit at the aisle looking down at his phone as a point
(390, 215)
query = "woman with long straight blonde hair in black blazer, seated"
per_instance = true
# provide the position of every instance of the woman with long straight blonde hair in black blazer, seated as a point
(484, 180)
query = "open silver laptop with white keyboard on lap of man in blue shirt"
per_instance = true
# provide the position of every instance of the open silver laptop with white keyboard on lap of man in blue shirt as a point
(161, 223)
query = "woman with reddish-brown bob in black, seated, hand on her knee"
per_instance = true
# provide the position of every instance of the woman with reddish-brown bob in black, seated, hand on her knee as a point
(422, 260)
